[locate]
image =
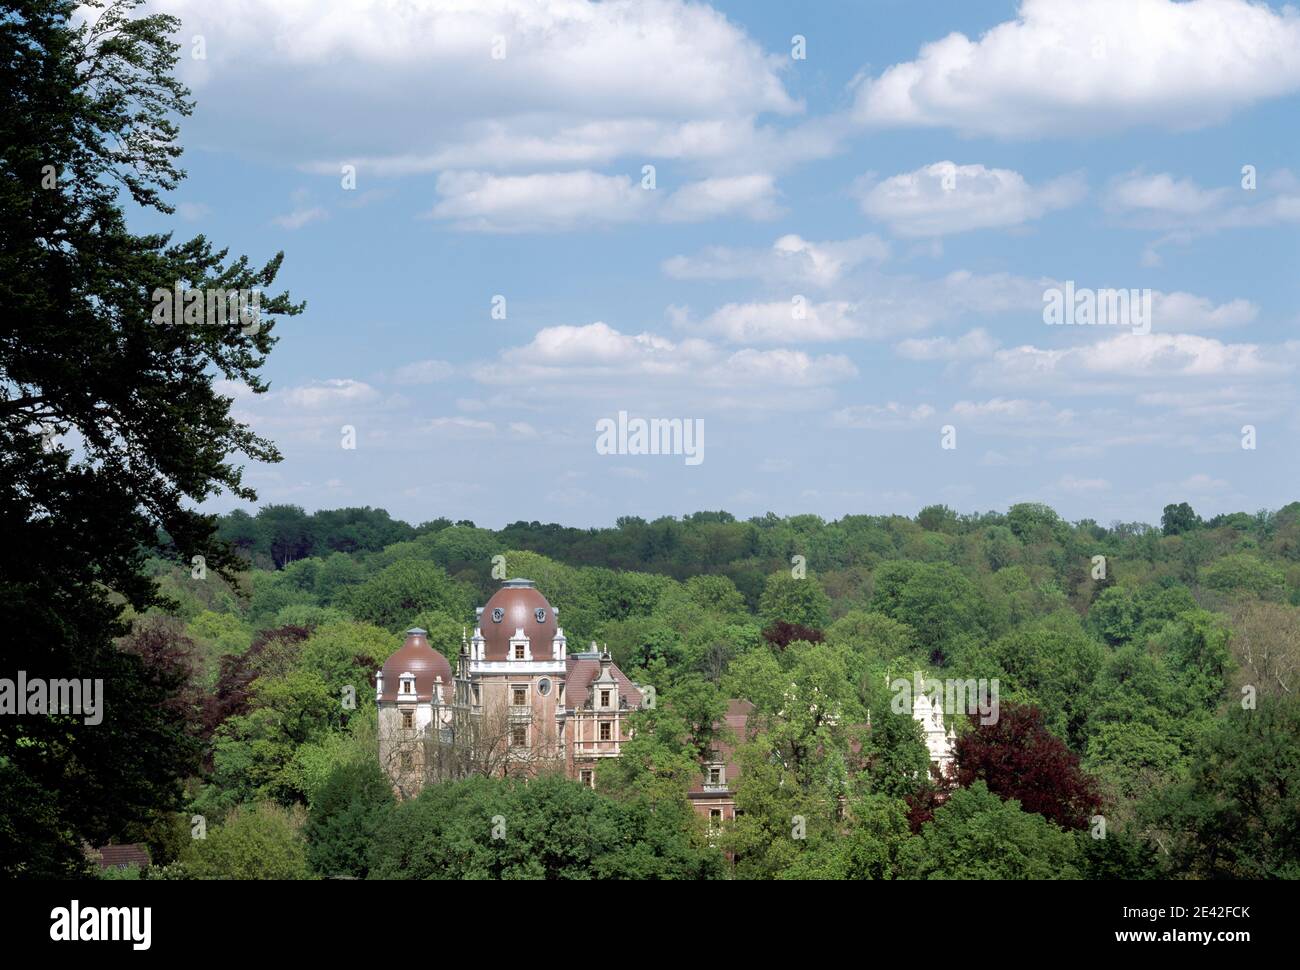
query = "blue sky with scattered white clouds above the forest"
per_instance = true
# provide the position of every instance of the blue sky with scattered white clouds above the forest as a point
(838, 261)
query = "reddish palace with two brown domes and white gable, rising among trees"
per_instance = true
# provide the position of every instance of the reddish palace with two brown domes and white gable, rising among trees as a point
(519, 703)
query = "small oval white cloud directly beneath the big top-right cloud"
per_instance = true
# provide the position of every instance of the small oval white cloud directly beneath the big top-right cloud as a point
(944, 198)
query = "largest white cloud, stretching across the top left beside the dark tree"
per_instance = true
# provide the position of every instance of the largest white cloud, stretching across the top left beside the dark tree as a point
(578, 84)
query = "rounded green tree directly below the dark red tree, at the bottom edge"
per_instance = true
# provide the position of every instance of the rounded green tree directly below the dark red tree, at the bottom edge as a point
(977, 835)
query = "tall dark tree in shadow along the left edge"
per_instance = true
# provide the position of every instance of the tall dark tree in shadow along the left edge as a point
(89, 120)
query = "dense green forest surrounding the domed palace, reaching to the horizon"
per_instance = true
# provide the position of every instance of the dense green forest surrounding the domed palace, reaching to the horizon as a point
(1149, 725)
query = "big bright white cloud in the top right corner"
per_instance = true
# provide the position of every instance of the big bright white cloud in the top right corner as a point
(1082, 67)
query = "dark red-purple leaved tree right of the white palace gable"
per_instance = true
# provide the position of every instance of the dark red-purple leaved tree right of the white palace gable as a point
(1020, 760)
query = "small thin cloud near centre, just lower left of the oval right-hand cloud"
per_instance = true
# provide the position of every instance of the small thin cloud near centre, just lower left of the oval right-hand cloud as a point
(790, 259)
